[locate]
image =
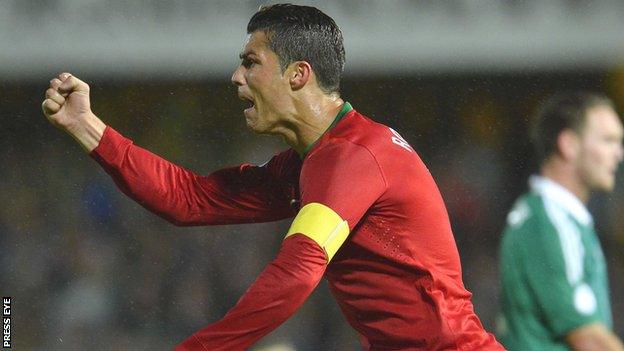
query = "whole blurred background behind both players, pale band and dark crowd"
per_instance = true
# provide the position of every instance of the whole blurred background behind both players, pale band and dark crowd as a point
(88, 269)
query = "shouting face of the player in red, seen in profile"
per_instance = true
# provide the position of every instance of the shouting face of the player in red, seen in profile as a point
(260, 81)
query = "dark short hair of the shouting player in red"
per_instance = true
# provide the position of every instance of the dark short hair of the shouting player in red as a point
(303, 33)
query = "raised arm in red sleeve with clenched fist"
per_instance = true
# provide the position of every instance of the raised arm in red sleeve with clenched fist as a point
(234, 195)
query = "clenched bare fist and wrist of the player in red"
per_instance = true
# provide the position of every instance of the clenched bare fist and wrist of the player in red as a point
(67, 106)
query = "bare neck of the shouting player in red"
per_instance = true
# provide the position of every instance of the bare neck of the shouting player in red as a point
(309, 119)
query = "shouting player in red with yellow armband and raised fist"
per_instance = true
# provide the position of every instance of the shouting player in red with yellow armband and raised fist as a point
(367, 213)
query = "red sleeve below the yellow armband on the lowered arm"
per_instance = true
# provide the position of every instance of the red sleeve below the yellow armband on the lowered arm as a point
(278, 292)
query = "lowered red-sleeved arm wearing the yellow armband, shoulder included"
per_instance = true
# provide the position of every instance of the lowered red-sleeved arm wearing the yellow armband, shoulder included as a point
(313, 239)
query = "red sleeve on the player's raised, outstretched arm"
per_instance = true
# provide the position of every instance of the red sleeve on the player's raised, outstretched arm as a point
(233, 195)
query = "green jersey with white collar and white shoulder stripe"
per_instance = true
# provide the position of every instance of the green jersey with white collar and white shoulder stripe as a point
(553, 271)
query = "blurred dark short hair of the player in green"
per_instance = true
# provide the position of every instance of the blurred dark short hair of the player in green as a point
(562, 111)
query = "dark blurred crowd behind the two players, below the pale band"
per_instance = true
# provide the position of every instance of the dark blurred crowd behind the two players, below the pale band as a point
(90, 269)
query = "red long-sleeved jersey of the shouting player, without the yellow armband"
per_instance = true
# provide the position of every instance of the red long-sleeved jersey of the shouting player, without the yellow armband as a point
(397, 276)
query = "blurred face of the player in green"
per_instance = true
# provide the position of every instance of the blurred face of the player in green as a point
(600, 149)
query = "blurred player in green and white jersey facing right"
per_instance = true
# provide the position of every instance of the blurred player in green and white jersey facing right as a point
(554, 277)
